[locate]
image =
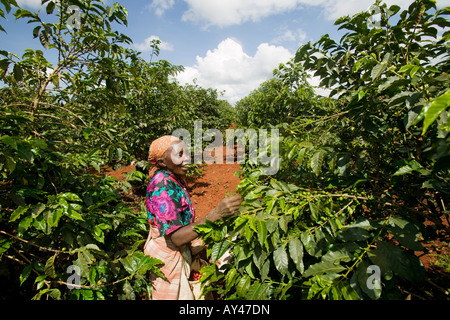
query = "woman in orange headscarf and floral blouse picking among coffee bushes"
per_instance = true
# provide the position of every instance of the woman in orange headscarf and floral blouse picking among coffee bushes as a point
(172, 218)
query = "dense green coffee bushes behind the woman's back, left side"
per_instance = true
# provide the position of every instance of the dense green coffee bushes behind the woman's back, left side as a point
(63, 120)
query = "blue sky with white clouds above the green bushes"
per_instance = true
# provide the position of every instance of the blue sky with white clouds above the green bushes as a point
(229, 45)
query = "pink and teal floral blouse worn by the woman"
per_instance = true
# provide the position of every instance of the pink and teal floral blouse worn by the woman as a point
(169, 206)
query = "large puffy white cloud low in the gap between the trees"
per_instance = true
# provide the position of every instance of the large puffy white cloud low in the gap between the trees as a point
(228, 68)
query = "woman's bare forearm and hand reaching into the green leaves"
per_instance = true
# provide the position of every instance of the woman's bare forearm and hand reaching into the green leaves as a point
(226, 207)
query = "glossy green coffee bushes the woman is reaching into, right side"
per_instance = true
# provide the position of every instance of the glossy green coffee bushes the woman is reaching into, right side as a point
(358, 178)
